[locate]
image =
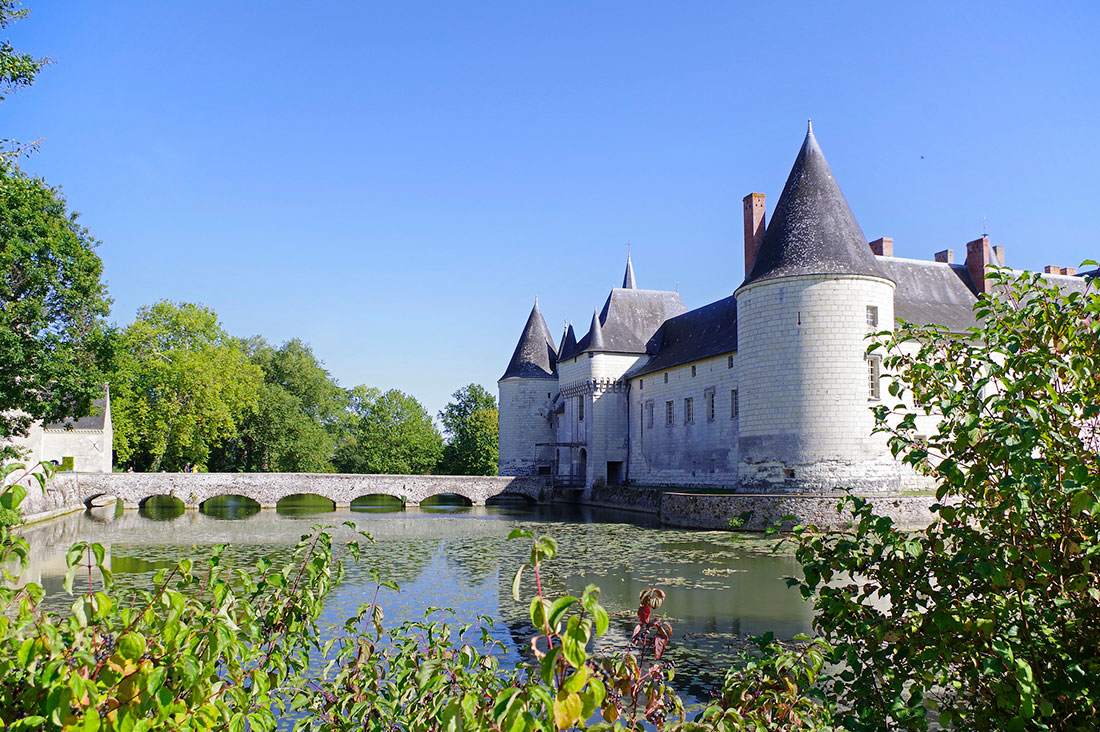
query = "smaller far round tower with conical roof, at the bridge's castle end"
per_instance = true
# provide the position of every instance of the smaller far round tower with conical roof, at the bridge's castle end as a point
(527, 388)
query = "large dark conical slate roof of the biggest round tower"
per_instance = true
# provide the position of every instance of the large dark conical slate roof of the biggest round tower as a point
(813, 231)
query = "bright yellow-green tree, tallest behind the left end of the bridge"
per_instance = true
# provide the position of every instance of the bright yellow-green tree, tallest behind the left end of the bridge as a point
(182, 387)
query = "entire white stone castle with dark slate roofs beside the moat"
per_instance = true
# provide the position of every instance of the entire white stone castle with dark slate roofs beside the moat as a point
(767, 390)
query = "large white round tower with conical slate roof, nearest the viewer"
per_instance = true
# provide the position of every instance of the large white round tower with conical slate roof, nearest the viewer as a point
(806, 308)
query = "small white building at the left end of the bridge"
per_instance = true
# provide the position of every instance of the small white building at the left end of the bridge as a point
(85, 443)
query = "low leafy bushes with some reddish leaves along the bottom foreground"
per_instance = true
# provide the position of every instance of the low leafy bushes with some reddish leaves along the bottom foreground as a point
(217, 648)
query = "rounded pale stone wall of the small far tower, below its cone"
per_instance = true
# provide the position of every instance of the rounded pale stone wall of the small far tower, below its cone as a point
(525, 421)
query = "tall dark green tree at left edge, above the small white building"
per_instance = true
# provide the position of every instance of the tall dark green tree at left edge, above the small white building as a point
(54, 343)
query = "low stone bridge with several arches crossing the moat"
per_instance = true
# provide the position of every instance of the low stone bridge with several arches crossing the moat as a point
(267, 489)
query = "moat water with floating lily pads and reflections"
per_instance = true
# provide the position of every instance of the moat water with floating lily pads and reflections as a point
(721, 587)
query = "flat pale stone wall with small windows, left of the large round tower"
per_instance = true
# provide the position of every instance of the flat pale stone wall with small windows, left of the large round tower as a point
(701, 453)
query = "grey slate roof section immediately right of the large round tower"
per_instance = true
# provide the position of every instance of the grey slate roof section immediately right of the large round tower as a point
(932, 293)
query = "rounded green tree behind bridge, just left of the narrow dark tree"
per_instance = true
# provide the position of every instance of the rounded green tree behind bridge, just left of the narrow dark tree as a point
(391, 433)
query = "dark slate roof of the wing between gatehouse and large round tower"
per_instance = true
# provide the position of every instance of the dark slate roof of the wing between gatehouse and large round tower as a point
(700, 334)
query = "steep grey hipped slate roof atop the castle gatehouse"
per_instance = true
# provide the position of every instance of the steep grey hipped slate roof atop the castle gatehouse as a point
(630, 320)
